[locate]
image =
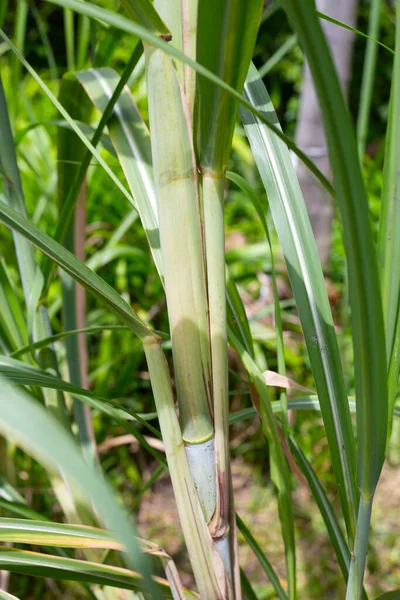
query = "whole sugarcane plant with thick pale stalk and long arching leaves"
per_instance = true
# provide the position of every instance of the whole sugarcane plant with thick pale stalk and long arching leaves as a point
(197, 58)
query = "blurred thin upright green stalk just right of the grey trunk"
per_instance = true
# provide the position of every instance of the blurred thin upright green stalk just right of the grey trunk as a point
(367, 81)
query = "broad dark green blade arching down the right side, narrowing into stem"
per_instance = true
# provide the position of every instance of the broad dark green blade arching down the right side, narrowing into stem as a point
(367, 319)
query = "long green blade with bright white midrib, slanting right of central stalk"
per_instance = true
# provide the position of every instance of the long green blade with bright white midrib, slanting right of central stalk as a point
(296, 238)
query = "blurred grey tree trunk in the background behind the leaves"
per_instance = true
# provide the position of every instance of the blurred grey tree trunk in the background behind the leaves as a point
(310, 135)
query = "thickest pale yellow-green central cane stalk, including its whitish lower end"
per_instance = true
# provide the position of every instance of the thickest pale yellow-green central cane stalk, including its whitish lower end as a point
(182, 258)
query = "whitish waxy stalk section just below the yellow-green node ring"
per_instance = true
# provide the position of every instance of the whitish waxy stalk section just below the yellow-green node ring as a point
(201, 459)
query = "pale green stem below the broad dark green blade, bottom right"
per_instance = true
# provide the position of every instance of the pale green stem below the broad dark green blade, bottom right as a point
(359, 556)
